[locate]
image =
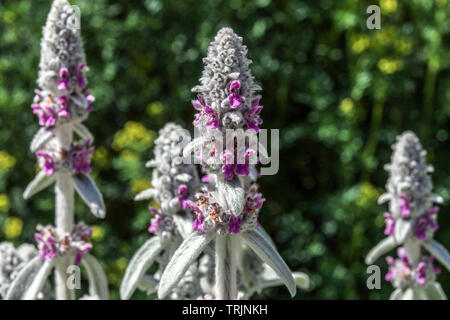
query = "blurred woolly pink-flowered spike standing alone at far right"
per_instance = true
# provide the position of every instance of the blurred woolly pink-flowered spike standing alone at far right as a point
(411, 223)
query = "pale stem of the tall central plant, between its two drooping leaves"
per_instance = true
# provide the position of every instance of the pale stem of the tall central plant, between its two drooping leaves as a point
(226, 260)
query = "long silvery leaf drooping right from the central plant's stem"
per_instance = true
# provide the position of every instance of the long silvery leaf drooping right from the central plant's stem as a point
(269, 255)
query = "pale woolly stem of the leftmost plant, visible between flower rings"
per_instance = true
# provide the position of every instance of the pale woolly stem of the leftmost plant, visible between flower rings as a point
(64, 219)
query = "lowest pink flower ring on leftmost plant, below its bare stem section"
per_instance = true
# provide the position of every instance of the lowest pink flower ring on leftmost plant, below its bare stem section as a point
(51, 244)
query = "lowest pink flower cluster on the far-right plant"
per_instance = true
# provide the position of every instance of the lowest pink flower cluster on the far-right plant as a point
(403, 273)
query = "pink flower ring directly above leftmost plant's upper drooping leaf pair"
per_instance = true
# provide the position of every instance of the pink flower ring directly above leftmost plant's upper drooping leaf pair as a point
(52, 157)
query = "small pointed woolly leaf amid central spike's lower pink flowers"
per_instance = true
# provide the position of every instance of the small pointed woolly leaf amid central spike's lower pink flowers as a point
(231, 195)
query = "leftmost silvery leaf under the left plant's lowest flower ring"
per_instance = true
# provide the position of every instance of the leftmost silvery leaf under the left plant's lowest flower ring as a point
(24, 279)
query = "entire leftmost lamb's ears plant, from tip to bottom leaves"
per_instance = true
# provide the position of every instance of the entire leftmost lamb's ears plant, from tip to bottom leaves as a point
(62, 104)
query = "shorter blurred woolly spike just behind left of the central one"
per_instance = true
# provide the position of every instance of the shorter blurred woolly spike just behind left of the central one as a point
(173, 184)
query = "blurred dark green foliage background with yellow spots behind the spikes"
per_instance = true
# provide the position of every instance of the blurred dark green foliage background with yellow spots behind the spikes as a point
(338, 92)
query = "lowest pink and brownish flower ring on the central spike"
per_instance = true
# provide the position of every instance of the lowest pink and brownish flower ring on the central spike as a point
(210, 214)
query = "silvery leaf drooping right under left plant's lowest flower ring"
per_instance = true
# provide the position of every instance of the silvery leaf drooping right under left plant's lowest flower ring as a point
(98, 284)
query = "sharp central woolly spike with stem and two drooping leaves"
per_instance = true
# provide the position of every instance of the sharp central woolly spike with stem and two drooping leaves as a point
(227, 209)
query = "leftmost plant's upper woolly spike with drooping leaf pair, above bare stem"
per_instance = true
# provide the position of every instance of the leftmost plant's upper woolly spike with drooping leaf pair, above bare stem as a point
(61, 104)
